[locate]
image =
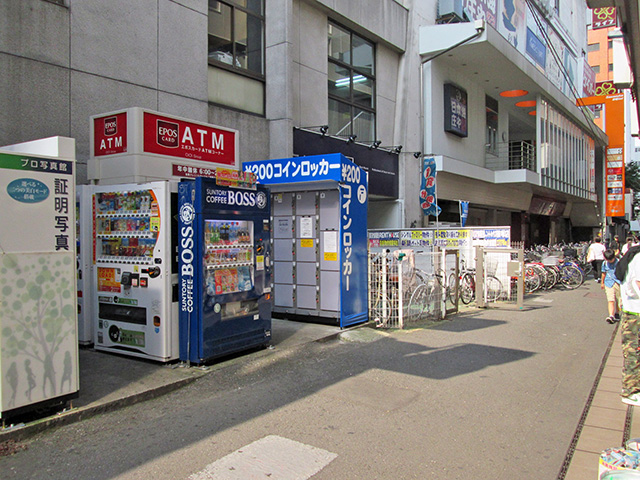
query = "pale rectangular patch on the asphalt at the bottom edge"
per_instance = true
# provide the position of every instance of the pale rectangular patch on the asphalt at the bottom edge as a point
(272, 458)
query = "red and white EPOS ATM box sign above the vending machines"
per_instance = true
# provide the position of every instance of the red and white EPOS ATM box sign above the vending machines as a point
(140, 146)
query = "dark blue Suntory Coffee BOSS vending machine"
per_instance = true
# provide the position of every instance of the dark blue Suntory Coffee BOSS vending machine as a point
(224, 269)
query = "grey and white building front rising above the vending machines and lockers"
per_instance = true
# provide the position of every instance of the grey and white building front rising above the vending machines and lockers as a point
(301, 77)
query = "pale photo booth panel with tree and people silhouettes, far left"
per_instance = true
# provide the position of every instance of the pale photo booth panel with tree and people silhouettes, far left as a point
(38, 322)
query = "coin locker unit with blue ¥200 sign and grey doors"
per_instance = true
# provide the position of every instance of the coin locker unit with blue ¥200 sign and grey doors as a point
(319, 237)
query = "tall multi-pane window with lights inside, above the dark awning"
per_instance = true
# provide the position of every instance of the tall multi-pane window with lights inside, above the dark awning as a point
(351, 84)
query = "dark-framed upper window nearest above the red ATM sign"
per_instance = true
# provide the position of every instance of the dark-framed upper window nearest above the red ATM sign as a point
(236, 35)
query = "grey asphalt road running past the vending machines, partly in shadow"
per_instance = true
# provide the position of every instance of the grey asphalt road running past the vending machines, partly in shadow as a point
(491, 394)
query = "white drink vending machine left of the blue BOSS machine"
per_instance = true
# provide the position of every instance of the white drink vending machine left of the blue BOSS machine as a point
(136, 269)
